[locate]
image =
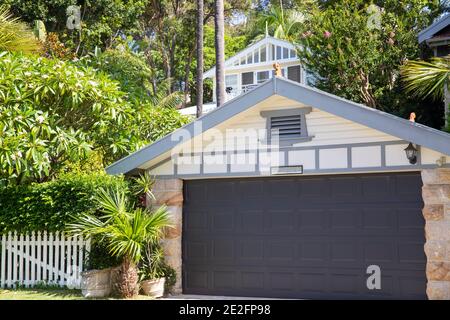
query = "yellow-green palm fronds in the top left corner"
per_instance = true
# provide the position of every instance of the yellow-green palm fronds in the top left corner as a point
(15, 35)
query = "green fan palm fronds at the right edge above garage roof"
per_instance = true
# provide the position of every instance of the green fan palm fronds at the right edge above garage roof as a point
(423, 79)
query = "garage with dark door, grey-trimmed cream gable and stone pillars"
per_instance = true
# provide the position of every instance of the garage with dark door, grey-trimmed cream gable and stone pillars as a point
(291, 192)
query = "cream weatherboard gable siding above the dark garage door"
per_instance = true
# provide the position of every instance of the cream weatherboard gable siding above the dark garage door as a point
(337, 144)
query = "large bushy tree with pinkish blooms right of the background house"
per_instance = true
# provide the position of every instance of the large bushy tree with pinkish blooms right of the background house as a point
(357, 52)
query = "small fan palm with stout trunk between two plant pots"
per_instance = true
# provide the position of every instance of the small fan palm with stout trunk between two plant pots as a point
(125, 231)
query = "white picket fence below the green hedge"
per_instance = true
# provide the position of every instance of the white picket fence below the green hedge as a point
(37, 258)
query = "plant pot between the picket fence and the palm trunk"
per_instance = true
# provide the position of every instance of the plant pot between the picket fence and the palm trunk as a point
(96, 283)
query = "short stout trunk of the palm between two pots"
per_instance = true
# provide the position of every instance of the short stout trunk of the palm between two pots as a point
(125, 279)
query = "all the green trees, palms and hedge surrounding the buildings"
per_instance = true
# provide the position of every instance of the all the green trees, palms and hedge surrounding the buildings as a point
(75, 99)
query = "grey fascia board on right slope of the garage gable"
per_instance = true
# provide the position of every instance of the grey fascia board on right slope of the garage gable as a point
(375, 119)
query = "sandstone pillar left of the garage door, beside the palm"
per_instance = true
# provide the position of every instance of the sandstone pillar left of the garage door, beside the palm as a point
(169, 192)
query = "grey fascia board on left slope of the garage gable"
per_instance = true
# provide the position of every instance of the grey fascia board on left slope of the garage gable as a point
(209, 120)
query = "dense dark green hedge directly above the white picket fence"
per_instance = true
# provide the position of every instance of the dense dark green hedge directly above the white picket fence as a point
(51, 205)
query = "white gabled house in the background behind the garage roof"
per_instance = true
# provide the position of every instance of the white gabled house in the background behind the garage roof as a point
(253, 66)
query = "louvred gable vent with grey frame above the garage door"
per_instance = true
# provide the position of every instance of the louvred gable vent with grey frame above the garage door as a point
(287, 127)
